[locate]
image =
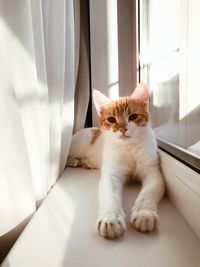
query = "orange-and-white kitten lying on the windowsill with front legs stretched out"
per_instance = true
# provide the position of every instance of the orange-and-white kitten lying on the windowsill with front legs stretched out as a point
(123, 147)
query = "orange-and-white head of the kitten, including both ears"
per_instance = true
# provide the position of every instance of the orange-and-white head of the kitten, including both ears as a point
(125, 118)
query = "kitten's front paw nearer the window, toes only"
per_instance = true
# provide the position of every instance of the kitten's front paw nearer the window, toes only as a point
(144, 220)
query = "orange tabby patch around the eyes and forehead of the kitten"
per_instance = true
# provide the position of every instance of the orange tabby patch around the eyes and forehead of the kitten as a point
(121, 109)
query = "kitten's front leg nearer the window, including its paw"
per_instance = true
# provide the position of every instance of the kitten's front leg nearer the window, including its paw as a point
(144, 216)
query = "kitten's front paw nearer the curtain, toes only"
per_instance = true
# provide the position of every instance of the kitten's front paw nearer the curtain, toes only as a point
(111, 225)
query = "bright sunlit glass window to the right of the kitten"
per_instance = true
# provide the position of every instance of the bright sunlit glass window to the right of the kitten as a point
(169, 40)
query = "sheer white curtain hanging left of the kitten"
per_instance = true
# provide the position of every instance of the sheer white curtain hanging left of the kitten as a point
(39, 64)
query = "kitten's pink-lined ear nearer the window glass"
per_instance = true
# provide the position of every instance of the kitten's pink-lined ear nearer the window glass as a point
(141, 94)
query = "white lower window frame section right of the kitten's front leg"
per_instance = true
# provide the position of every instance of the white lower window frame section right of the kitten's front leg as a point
(183, 189)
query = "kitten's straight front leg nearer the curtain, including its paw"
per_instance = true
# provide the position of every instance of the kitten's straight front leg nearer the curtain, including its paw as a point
(111, 222)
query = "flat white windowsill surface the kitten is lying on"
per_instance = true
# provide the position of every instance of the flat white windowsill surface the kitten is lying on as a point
(61, 233)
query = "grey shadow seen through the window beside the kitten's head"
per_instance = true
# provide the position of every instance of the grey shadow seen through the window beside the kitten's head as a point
(164, 106)
